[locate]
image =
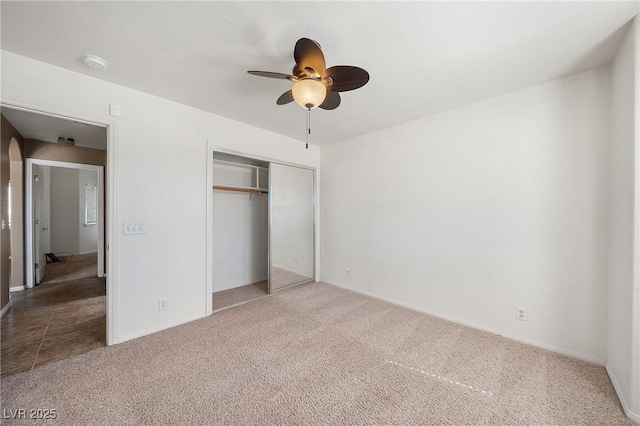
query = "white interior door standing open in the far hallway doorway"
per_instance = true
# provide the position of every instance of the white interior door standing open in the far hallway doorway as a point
(39, 226)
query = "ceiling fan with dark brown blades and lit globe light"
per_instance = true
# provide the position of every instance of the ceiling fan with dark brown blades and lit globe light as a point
(315, 85)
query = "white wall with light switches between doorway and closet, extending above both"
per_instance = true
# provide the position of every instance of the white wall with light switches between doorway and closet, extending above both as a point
(158, 164)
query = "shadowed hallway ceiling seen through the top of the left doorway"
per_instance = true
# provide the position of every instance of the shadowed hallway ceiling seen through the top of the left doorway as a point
(48, 129)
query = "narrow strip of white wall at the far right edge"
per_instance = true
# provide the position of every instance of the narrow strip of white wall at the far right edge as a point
(623, 331)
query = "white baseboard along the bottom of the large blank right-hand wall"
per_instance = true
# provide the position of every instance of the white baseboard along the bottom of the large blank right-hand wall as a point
(471, 324)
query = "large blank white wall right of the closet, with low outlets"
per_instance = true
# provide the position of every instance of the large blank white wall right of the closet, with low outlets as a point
(472, 212)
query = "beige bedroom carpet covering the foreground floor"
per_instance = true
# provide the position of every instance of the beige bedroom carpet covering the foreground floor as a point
(318, 355)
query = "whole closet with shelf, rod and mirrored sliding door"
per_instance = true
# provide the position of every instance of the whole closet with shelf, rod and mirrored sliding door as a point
(263, 228)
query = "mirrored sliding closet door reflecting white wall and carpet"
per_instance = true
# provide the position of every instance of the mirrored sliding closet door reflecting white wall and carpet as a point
(291, 234)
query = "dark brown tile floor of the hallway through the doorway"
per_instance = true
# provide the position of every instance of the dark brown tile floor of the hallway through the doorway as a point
(52, 322)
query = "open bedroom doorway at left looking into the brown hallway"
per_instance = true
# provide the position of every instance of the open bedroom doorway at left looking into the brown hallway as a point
(66, 314)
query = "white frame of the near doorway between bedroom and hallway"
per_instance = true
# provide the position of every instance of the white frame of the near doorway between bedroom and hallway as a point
(110, 242)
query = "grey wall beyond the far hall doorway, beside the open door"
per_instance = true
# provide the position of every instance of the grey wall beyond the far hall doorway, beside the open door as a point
(65, 203)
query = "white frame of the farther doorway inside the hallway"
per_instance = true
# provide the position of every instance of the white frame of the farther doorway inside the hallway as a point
(28, 209)
